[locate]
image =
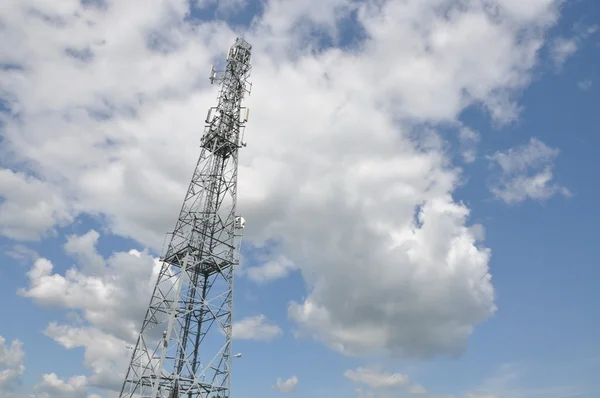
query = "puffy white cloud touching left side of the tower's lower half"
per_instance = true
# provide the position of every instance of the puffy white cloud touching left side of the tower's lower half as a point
(102, 296)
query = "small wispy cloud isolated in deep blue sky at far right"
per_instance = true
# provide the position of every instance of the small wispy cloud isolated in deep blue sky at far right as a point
(526, 173)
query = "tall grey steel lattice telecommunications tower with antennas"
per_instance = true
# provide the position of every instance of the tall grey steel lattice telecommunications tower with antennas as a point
(184, 348)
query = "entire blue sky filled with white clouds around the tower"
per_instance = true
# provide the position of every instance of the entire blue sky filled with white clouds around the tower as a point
(419, 189)
